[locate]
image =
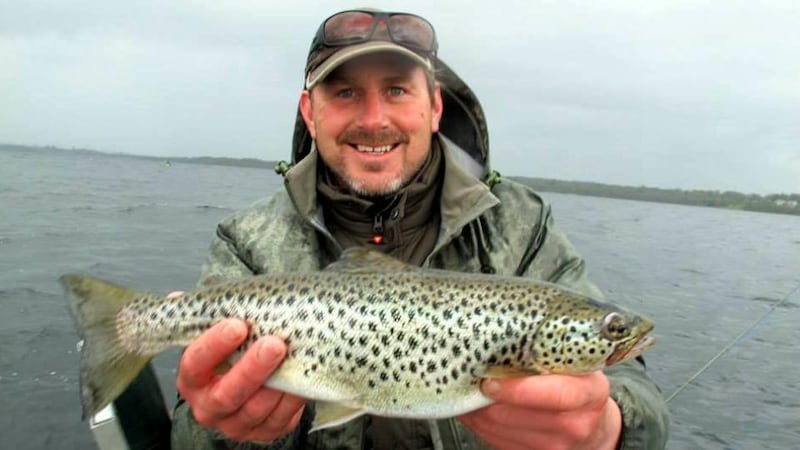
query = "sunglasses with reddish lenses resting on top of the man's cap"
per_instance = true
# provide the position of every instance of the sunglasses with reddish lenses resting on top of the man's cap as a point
(357, 26)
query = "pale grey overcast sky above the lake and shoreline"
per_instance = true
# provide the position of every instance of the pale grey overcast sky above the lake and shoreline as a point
(669, 93)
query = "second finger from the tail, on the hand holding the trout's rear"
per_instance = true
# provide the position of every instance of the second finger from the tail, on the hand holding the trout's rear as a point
(247, 376)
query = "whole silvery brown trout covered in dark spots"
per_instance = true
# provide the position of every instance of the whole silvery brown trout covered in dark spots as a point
(366, 335)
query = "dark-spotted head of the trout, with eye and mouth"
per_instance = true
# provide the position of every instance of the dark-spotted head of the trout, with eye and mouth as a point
(585, 336)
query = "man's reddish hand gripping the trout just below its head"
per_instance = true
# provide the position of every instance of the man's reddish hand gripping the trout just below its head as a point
(548, 412)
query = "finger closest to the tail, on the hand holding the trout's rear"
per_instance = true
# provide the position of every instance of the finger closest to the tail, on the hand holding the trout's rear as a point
(212, 348)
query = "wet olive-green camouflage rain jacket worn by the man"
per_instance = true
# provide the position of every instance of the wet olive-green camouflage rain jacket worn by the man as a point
(504, 228)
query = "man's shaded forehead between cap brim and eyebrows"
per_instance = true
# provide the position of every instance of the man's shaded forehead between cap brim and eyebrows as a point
(381, 65)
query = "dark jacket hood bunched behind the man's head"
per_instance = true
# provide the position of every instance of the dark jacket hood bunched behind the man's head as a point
(463, 123)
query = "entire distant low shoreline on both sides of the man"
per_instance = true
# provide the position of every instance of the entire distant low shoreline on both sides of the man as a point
(771, 203)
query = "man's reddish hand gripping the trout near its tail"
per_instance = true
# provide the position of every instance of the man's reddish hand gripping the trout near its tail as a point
(237, 403)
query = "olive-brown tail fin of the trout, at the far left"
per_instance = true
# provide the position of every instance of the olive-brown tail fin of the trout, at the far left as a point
(107, 367)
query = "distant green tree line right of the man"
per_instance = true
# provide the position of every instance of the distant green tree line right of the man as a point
(773, 203)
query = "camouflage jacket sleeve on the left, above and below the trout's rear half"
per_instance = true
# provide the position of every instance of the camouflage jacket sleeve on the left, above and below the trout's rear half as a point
(224, 262)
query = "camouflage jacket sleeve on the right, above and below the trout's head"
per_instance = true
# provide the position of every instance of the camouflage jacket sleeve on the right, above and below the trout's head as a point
(645, 414)
